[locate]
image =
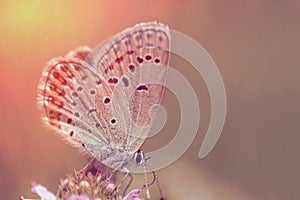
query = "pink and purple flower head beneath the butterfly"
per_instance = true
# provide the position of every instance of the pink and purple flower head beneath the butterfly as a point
(85, 185)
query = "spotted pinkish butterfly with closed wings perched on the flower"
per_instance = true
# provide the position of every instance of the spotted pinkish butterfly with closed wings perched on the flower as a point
(103, 100)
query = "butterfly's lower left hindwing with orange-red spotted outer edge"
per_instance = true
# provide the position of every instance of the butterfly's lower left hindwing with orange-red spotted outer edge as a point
(66, 93)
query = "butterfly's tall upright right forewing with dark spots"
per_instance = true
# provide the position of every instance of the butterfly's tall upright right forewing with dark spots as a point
(135, 89)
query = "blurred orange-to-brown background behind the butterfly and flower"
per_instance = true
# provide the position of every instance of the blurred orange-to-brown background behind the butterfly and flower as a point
(255, 45)
